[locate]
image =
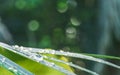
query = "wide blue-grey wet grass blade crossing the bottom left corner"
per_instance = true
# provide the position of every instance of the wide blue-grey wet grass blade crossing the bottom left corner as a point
(13, 67)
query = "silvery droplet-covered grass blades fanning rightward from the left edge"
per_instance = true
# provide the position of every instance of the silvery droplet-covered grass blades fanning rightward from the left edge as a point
(36, 54)
